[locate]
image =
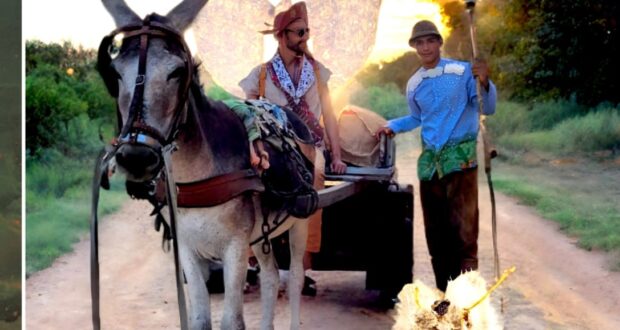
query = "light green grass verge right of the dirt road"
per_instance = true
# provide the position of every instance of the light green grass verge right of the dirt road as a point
(582, 198)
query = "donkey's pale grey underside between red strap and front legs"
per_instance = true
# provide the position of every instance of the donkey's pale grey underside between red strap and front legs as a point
(209, 231)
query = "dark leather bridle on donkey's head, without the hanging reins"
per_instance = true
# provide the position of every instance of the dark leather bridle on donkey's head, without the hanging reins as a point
(136, 131)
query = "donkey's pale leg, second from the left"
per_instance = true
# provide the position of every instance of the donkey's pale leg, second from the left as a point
(235, 265)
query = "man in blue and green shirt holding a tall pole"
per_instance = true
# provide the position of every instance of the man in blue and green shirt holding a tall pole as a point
(443, 100)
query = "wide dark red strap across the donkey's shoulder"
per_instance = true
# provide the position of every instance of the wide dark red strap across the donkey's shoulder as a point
(217, 190)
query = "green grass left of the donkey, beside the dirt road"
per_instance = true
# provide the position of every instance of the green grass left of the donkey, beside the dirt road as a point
(58, 194)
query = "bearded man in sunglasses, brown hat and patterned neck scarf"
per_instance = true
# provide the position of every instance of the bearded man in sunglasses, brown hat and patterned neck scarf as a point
(294, 79)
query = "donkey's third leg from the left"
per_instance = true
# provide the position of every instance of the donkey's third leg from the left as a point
(269, 281)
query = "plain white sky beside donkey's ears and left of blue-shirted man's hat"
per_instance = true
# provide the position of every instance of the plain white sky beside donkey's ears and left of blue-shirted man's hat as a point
(85, 22)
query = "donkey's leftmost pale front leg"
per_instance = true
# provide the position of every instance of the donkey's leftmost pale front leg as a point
(199, 310)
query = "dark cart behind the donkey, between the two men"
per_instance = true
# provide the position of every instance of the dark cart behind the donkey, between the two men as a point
(367, 225)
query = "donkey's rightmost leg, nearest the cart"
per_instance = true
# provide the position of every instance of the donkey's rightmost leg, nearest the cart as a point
(298, 235)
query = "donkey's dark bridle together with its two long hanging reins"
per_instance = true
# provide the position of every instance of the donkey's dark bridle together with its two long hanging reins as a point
(136, 131)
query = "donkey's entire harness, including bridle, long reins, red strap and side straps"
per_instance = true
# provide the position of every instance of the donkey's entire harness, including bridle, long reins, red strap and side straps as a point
(162, 190)
